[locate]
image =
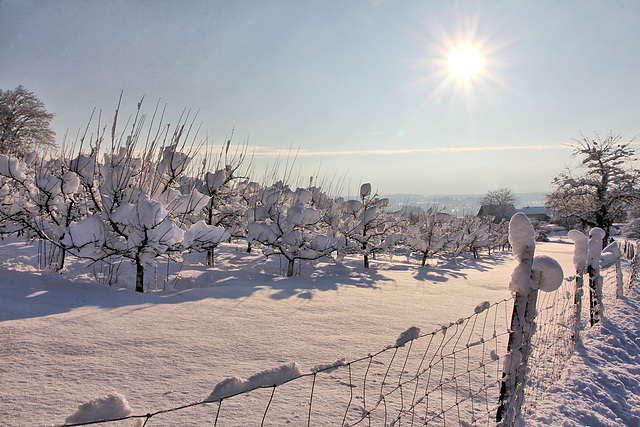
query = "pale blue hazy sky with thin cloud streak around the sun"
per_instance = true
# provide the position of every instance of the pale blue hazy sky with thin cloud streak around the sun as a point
(356, 91)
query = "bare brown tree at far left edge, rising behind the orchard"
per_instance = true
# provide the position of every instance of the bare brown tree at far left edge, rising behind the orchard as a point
(24, 123)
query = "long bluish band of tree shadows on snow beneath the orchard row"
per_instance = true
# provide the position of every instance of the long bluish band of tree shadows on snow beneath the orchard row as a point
(36, 294)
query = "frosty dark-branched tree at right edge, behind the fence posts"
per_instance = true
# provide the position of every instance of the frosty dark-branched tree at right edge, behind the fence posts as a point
(596, 192)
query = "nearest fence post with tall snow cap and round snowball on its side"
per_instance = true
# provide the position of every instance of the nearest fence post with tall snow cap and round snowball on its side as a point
(530, 275)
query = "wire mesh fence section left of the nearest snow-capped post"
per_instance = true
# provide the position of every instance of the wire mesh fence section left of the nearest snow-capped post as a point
(450, 376)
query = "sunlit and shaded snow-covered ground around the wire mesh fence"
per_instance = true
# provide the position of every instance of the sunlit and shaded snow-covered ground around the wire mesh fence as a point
(67, 340)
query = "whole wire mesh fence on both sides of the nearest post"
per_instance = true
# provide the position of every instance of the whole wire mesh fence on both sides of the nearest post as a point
(455, 375)
